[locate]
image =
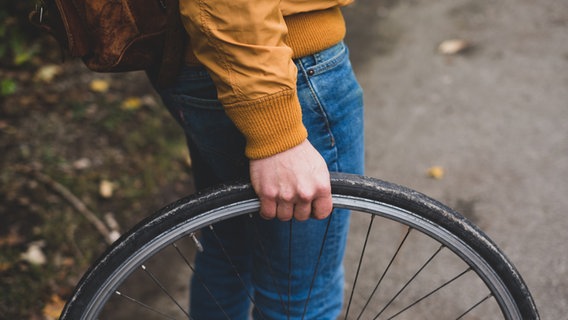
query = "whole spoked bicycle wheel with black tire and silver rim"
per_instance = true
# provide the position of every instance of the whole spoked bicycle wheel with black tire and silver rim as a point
(407, 257)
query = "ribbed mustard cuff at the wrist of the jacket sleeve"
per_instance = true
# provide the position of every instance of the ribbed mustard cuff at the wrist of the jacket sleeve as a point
(270, 125)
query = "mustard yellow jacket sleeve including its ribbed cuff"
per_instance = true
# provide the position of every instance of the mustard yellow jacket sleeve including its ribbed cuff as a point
(242, 44)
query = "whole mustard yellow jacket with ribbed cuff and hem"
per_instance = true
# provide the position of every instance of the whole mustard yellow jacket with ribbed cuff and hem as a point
(248, 47)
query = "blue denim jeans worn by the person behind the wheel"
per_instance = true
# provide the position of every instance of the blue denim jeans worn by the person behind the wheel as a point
(261, 251)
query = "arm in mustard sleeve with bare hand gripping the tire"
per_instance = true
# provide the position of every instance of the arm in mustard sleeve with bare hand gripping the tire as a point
(242, 44)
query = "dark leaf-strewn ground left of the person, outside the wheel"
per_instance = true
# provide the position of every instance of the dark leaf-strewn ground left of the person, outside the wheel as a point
(83, 156)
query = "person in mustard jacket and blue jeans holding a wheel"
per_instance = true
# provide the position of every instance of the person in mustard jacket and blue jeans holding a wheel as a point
(267, 92)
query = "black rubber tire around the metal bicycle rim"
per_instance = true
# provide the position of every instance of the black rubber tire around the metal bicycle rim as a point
(342, 184)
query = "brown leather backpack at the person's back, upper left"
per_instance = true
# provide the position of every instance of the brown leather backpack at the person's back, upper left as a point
(117, 35)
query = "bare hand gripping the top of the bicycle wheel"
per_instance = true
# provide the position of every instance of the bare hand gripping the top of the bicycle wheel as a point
(294, 183)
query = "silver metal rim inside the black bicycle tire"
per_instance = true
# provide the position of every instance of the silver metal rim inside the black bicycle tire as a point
(484, 271)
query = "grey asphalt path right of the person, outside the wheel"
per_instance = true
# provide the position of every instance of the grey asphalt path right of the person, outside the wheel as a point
(494, 117)
